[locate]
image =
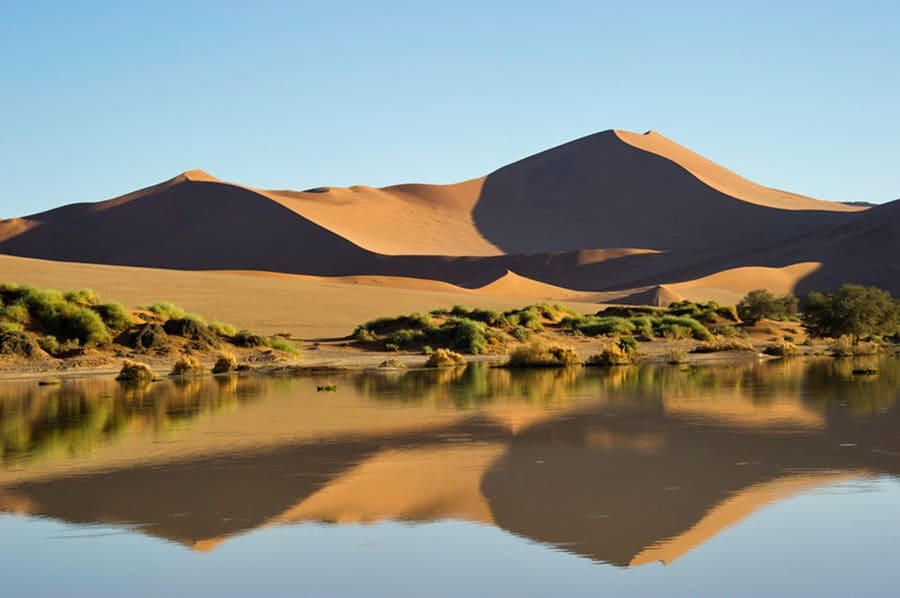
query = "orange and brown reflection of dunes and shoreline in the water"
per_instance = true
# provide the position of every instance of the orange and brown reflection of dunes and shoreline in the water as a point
(540, 454)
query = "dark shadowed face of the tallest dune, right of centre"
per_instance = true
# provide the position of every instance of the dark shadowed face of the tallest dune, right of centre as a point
(600, 192)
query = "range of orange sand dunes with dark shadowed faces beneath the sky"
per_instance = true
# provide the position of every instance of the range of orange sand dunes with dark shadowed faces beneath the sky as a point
(612, 215)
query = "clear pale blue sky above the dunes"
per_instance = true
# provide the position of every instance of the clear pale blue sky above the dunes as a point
(98, 99)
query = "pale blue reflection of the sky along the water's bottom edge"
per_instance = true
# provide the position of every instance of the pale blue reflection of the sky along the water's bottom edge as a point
(837, 541)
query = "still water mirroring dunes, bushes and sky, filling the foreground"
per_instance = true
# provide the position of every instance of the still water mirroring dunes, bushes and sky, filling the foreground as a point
(777, 478)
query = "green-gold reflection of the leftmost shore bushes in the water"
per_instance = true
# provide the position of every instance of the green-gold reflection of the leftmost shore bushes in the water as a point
(81, 415)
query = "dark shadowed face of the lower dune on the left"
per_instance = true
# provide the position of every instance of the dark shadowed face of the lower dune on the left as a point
(188, 225)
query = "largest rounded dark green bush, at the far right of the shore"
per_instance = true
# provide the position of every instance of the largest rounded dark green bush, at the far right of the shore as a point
(854, 310)
